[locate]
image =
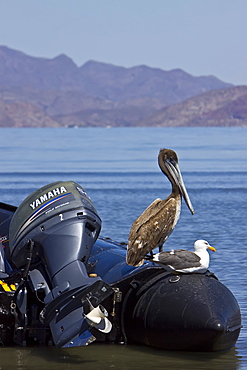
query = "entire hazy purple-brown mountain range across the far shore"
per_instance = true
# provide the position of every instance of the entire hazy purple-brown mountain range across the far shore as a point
(40, 92)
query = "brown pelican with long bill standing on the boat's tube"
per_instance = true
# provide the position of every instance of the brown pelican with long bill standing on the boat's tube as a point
(151, 229)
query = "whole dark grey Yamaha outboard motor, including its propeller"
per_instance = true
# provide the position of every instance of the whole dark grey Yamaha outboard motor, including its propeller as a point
(51, 236)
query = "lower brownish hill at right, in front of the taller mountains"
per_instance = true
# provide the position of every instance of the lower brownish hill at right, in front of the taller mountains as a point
(226, 107)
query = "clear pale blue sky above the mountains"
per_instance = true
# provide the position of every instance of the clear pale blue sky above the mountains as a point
(202, 37)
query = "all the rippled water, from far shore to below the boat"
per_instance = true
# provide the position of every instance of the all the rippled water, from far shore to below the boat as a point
(118, 168)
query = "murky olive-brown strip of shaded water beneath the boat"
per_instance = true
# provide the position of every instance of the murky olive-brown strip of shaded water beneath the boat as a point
(101, 356)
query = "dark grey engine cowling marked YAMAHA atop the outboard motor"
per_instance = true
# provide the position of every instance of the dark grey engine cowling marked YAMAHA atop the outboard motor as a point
(56, 215)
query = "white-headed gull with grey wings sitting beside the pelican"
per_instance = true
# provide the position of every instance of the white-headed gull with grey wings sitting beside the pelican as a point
(181, 260)
